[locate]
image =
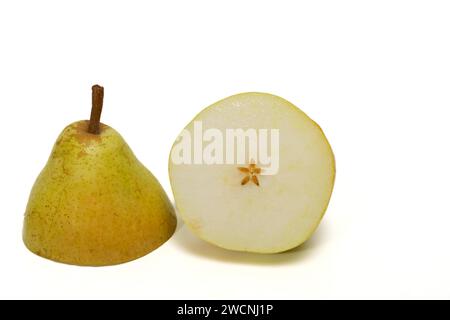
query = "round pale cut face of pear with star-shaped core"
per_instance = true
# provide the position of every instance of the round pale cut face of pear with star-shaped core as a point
(238, 207)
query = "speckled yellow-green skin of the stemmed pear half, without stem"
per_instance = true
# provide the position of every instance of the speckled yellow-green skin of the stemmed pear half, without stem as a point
(94, 203)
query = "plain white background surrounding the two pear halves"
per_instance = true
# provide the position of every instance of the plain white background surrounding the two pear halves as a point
(374, 74)
